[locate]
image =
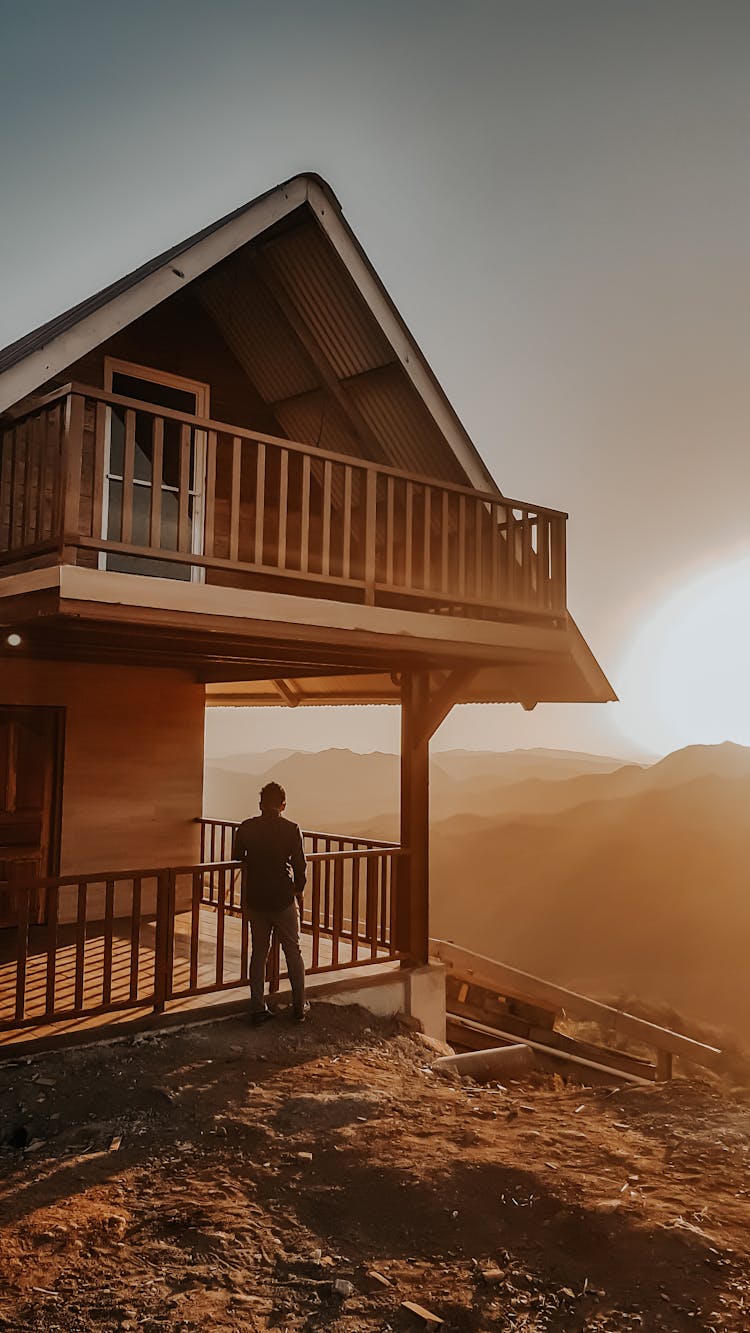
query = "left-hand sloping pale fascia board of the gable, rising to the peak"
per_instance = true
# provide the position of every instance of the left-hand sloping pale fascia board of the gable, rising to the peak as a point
(151, 291)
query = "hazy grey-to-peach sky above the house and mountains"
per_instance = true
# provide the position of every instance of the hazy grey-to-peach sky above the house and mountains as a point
(558, 197)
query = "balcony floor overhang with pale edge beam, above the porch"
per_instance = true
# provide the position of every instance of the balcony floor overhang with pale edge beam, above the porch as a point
(259, 649)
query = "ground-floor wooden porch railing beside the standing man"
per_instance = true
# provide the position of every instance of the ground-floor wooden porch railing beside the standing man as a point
(87, 946)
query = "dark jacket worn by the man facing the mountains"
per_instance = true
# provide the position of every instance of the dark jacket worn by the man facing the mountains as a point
(274, 862)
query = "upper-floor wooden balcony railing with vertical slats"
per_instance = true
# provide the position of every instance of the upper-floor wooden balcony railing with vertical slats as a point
(99, 479)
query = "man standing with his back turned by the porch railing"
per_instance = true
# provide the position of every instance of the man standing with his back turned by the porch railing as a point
(274, 882)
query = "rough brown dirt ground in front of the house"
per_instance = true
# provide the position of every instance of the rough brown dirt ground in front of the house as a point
(227, 1178)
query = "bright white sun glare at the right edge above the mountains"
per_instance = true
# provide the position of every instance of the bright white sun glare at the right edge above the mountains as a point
(687, 676)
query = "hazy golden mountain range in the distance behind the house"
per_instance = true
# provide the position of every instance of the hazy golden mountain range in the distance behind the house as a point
(620, 879)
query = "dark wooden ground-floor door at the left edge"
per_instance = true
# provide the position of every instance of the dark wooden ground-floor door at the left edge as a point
(30, 804)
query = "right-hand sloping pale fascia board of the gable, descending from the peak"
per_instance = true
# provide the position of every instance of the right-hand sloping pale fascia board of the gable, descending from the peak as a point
(398, 335)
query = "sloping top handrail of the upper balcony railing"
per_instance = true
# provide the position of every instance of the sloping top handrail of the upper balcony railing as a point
(90, 391)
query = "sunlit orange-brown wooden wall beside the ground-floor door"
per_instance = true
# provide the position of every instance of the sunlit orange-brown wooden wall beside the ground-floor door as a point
(133, 766)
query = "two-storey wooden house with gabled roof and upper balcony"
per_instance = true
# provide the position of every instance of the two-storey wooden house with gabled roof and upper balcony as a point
(231, 478)
